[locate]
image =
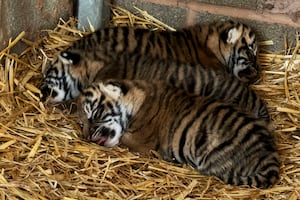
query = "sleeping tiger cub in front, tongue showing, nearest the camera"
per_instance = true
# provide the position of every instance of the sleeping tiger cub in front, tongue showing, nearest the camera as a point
(215, 138)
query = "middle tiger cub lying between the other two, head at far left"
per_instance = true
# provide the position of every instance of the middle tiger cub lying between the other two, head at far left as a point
(71, 72)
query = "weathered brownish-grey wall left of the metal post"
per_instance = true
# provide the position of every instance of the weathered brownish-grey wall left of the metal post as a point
(30, 16)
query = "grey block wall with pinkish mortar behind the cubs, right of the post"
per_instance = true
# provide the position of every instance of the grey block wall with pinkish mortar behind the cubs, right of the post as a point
(271, 19)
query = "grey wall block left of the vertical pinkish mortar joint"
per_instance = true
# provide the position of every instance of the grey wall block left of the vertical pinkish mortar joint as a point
(174, 17)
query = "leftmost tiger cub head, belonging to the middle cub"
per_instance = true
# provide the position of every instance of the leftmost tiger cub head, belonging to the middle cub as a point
(67, 74)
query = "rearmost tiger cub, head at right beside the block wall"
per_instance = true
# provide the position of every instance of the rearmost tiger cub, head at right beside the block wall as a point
(233, 44)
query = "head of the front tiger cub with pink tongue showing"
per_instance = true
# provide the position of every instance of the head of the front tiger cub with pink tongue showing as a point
(104, 109)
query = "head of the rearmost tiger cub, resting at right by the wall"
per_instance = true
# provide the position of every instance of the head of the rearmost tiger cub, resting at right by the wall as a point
(238, 48)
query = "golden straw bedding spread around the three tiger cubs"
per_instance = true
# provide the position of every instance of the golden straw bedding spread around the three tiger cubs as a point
(43, 156)
